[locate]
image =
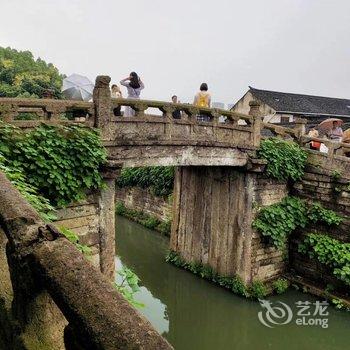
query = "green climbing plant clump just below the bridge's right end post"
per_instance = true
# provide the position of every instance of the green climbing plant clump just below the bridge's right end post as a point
(285, 159)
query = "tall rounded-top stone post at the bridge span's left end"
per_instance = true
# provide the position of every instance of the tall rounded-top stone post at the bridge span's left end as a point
(103, 104)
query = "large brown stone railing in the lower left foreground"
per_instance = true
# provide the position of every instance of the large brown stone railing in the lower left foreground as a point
(51, 296)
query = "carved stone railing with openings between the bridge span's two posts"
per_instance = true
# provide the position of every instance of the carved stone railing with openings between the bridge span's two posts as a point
(225, 127)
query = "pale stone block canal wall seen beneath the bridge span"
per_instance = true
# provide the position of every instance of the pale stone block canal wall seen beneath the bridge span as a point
(143, 200)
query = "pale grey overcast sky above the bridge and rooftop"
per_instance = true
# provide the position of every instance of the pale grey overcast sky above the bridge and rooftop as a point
(300, 46)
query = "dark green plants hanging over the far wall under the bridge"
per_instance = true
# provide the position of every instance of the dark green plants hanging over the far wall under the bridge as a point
(159, 179)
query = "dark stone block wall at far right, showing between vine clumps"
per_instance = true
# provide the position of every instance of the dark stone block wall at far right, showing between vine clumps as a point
(331, 189)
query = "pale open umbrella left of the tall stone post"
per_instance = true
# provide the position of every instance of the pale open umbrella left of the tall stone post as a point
(77, 87)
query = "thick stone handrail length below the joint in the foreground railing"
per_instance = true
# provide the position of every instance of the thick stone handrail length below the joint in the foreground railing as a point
(100, 316)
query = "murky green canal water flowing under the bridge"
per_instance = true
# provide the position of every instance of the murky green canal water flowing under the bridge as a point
(194, 314)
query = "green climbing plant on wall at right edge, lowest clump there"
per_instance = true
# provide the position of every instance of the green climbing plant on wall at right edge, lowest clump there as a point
(329, 251)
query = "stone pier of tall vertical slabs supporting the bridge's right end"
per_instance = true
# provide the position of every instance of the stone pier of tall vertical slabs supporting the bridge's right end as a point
(214, 208)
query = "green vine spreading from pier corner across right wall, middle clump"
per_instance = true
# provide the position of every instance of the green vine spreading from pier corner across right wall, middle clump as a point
(279, 220)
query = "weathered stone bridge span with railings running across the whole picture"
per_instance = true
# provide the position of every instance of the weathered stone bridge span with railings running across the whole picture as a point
(154, 137)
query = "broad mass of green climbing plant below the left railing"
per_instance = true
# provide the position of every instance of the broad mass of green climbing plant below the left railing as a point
(61, 161)
